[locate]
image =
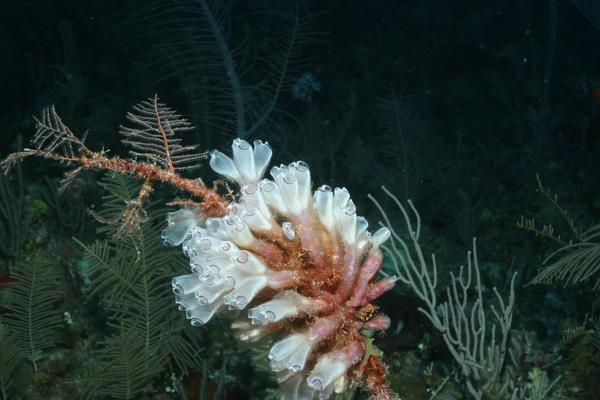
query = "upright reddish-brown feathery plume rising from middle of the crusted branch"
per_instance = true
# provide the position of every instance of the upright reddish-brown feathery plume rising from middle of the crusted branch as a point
(153, 136)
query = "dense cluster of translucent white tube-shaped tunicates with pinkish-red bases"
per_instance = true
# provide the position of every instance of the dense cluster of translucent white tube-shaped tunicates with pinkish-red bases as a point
(301, 263)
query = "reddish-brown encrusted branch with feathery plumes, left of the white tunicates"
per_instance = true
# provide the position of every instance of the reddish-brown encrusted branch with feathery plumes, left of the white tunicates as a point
(153, 139)
